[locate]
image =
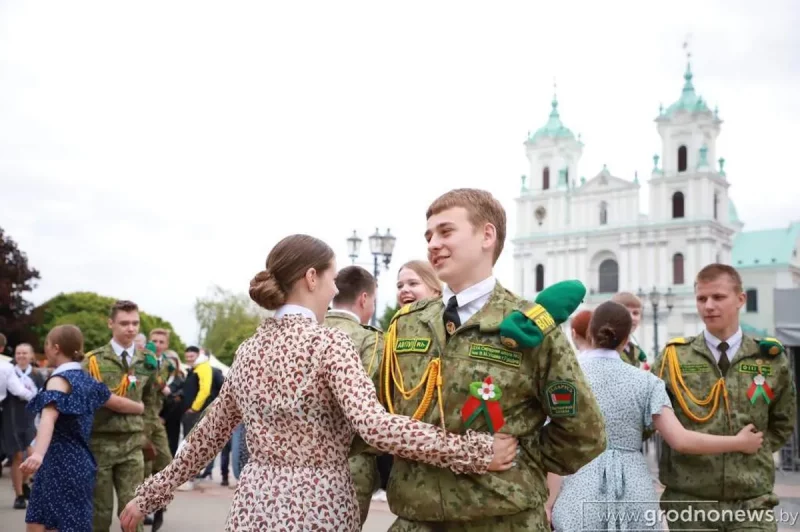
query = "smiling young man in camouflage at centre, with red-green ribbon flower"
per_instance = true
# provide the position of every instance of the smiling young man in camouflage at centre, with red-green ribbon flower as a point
(447, 358)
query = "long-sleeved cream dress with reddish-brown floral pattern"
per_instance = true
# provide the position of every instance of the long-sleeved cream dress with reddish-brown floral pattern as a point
(303, 394)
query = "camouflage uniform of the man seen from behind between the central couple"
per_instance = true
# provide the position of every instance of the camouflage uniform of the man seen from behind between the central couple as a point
(369, 343)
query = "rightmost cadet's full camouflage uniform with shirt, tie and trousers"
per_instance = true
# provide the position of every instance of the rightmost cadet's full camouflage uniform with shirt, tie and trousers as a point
(757, 388)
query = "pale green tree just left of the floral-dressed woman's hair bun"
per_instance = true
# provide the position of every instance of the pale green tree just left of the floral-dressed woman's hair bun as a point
(225, 321)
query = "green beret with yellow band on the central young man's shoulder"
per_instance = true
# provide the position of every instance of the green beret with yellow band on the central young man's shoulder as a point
(554, 305)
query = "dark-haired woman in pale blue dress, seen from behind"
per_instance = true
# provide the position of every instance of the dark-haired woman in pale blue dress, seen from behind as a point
(618, 482)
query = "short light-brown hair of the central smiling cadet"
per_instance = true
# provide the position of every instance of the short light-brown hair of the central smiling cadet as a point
(482, 208)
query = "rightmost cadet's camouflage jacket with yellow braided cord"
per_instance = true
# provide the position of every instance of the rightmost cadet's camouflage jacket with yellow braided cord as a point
(731, 476)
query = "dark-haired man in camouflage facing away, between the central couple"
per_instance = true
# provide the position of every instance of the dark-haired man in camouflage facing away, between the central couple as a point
(352, 308)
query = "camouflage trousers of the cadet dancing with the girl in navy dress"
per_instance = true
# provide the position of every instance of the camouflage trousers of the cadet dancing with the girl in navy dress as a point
(120, 468)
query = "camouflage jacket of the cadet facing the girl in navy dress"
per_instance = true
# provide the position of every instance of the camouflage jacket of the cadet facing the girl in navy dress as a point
(111, 373)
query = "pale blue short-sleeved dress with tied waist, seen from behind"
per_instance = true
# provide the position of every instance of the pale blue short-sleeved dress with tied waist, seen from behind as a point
(615, 491)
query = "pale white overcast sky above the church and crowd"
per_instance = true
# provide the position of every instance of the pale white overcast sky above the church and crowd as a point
(151, 149)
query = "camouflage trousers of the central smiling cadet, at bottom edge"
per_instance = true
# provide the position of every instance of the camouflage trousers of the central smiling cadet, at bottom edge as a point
(533, 520)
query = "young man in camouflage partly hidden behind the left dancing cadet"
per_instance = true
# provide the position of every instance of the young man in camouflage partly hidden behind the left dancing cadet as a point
(154, 431)
